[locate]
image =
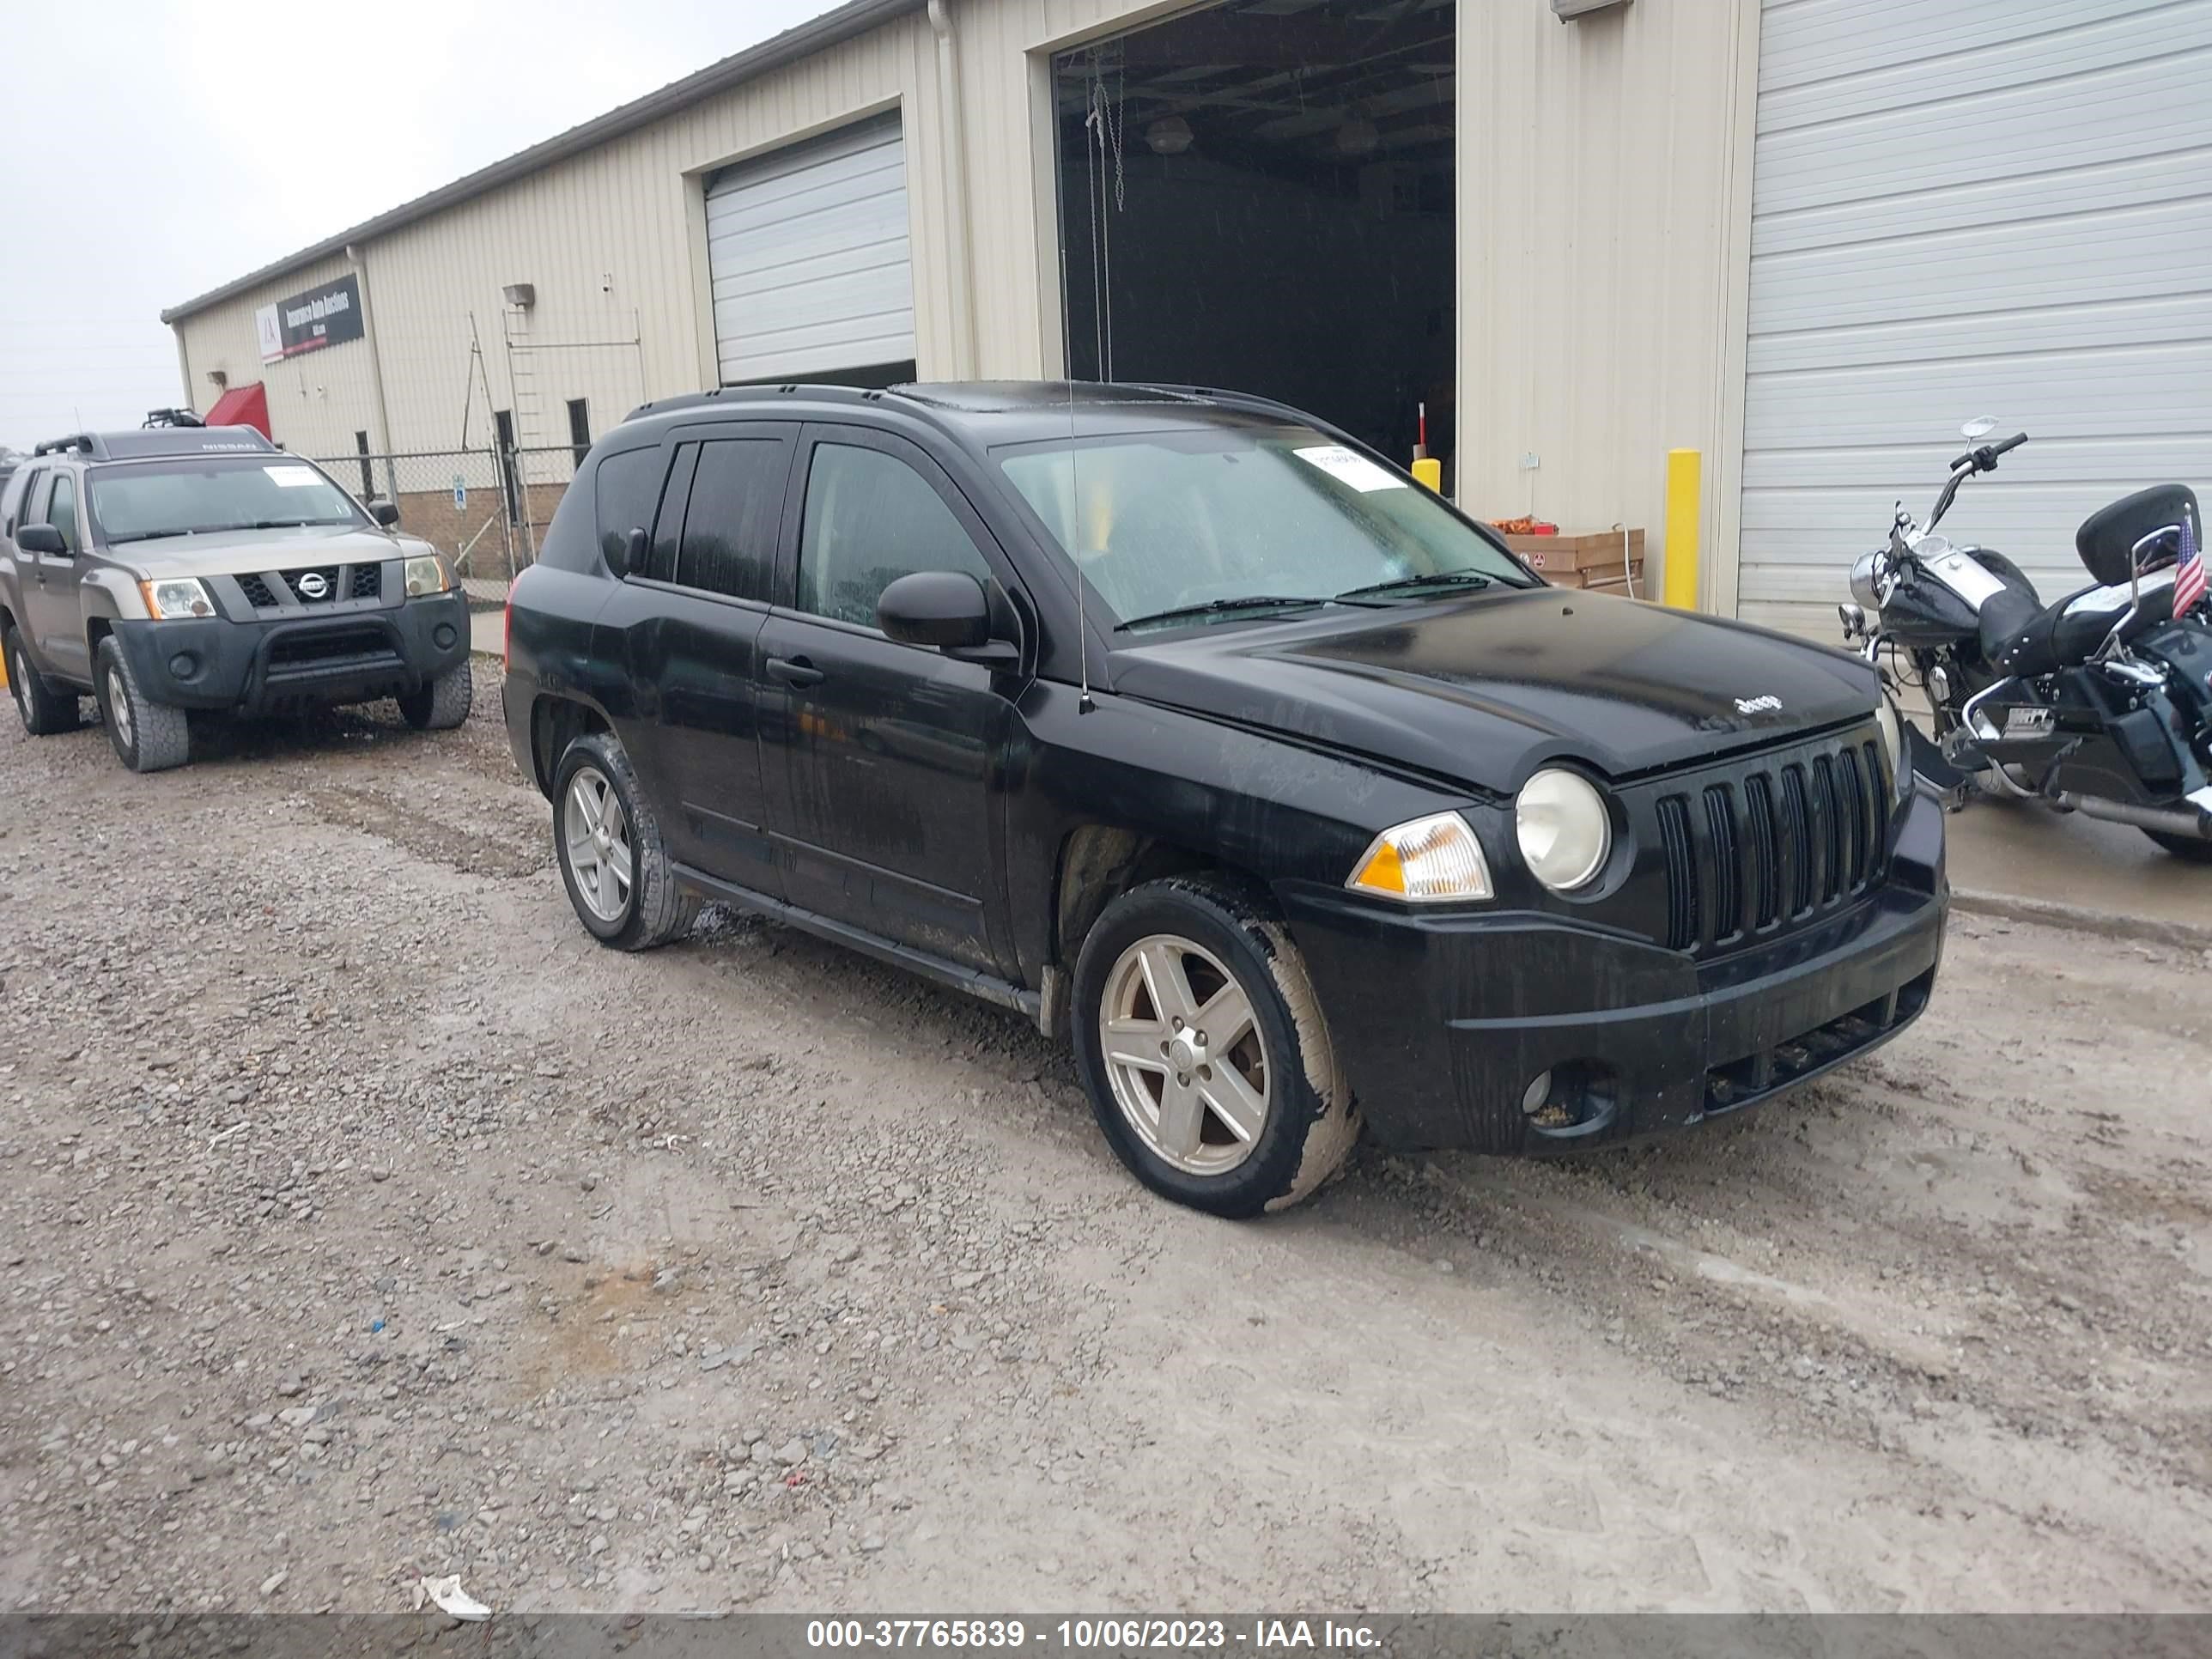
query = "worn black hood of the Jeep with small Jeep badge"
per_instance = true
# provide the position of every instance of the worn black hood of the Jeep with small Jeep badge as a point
(1488, 689)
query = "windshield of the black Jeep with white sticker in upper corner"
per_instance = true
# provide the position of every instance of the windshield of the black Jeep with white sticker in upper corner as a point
(1244, 523)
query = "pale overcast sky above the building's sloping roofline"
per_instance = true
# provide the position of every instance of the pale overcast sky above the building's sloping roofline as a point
(165, 147)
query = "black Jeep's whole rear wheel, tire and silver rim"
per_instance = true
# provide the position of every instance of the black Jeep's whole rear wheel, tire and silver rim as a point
(612, 855)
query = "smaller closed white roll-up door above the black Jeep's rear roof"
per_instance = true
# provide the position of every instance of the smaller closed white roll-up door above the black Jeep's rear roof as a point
(808, 255)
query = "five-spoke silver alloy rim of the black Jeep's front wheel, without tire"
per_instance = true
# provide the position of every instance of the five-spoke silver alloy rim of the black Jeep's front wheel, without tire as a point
(1185, 1054)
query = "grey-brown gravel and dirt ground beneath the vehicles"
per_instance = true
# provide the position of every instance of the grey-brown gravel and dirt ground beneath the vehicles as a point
(362, 1220)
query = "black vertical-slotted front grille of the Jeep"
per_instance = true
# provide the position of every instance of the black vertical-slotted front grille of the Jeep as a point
(1771, 844)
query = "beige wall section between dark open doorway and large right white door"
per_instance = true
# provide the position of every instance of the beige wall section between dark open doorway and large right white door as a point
(1603, 207)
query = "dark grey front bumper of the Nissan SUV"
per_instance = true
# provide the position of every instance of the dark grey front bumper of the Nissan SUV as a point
(282, 667)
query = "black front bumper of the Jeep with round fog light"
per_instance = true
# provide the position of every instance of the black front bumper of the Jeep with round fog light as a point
(1446, 1021)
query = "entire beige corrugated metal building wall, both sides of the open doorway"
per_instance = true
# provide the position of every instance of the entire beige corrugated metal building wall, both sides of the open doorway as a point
(1603, 207)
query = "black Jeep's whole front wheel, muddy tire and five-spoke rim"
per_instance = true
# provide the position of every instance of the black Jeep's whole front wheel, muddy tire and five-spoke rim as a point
(1204, 1052)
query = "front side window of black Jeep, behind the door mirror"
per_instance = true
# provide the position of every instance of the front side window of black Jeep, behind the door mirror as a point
(870, 521)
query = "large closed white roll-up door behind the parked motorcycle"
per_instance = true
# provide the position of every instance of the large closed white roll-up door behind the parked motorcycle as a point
(1972, 207)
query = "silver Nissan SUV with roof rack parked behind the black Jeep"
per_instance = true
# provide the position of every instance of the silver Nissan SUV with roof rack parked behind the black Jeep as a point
(189, 567)
